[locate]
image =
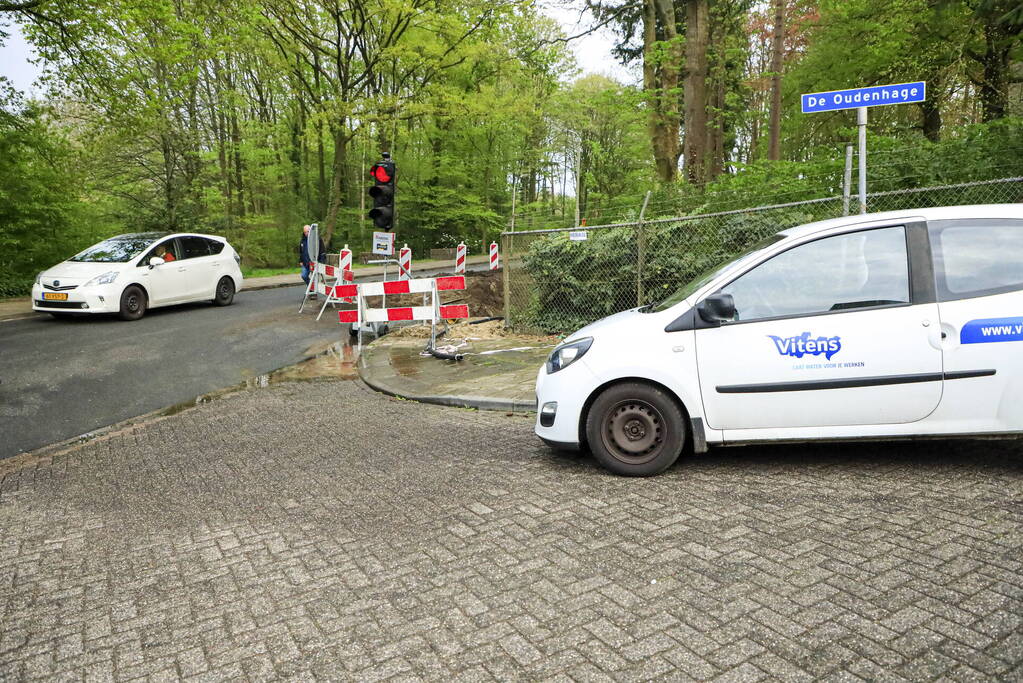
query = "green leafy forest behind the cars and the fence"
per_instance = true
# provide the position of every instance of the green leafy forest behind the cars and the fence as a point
(250, 118)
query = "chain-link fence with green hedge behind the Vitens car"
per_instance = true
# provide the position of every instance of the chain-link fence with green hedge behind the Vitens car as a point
(557, 285)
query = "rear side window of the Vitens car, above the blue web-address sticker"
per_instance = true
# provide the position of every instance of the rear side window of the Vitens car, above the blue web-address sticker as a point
(977, 258)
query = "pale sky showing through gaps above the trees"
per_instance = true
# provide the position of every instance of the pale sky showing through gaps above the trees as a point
(593, 52)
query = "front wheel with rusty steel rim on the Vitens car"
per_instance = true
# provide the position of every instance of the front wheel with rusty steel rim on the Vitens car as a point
(636, 430)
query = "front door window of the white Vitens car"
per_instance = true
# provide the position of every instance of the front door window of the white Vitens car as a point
(851, 271)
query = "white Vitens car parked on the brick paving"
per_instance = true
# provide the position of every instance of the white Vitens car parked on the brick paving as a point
(876, 327)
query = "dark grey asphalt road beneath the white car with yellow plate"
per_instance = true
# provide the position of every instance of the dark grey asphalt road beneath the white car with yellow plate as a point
(62, 379)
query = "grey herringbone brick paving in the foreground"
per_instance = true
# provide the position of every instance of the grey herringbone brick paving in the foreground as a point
(319, 530)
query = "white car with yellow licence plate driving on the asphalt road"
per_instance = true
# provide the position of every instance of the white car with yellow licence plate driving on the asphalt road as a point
(130, 275)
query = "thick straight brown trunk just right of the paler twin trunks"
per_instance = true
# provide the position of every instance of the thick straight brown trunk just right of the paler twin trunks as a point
(697, 30)
